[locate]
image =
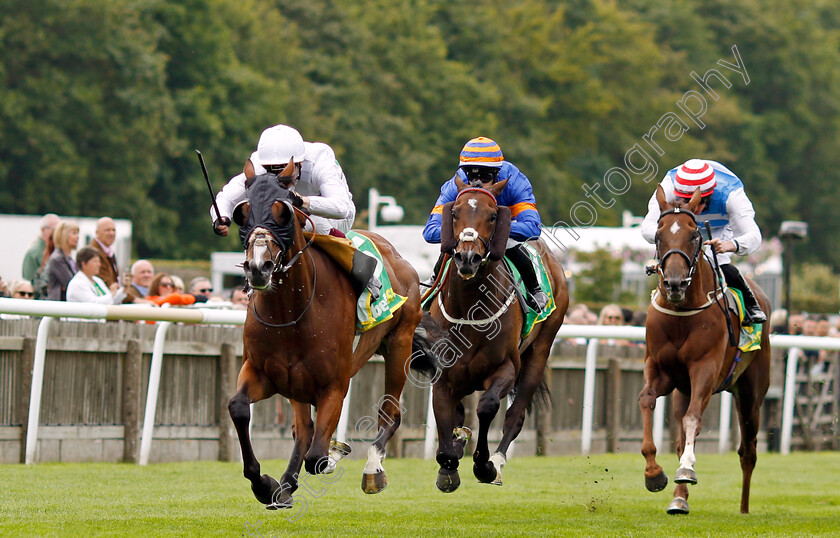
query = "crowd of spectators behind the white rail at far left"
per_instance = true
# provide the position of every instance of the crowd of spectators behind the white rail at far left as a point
(56, 267)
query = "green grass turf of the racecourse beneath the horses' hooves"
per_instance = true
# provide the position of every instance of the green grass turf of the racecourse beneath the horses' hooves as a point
(602, 495)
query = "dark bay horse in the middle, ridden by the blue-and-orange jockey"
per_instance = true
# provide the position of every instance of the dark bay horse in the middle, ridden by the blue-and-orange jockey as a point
(477, 314)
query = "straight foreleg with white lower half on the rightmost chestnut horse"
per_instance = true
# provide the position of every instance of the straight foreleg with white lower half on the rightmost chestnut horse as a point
(703, 375)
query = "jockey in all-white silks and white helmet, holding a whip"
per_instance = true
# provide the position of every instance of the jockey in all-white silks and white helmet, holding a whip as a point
(318, 186)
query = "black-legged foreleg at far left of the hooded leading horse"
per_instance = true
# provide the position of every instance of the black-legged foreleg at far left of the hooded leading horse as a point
(252, 386)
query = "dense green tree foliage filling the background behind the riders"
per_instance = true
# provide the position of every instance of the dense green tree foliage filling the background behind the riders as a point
(103, 102)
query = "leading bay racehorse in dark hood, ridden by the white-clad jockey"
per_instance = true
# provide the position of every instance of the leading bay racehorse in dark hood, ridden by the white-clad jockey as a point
(299, 339)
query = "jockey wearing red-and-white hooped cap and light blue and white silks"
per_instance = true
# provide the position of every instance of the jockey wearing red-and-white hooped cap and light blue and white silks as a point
(729, 212)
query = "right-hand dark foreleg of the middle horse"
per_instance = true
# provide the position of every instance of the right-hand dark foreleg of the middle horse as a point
(499, 384)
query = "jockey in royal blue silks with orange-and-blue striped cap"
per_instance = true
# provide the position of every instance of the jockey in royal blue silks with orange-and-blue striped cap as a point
(481, 165)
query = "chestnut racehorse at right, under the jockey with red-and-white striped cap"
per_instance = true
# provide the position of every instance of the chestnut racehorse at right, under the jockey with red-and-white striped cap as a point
(687, 348)
